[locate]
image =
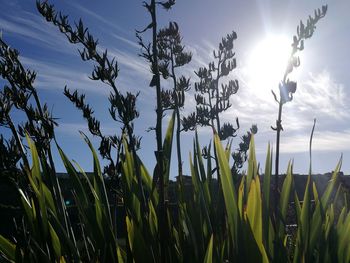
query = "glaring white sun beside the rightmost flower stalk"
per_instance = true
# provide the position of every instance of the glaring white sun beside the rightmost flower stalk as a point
(267, 63)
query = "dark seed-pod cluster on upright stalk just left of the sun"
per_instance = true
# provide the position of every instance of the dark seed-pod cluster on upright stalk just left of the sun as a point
(212, 99)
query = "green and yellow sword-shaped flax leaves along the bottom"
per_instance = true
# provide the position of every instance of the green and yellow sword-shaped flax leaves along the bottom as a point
(246, 233)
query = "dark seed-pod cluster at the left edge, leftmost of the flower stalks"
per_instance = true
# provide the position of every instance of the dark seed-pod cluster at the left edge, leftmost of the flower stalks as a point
(19, 93)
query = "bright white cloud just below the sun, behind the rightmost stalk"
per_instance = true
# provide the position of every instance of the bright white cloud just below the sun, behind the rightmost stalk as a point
(317, 96)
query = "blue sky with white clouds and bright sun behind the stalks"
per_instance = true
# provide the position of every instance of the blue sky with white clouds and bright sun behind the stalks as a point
(264, 29)
